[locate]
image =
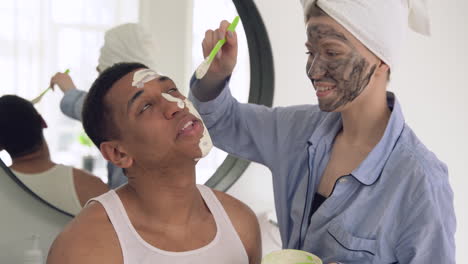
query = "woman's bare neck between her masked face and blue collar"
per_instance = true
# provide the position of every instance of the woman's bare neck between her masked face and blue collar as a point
(365, 121)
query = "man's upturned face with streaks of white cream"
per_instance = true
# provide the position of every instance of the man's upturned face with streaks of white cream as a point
(154, 130)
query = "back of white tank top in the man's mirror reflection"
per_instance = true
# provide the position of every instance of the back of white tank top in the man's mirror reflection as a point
(55, 185)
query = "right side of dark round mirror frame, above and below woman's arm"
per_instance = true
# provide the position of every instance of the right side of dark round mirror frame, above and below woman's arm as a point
(261, 85)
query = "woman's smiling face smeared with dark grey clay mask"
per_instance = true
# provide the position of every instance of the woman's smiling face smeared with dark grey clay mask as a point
(339, 66)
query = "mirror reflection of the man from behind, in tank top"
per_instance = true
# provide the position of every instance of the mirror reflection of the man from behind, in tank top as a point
(22, 137)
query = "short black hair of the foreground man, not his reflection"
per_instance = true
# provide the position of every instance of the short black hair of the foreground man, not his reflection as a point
(97, 116)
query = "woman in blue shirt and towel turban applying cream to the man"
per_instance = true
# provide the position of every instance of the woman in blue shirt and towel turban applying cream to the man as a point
(352, 182)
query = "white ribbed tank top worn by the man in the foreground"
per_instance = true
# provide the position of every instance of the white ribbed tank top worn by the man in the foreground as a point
(226, 247)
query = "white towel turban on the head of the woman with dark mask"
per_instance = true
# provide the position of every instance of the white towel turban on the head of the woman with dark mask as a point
(380, 25)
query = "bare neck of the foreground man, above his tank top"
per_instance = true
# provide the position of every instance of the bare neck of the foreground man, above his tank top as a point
(164, 197)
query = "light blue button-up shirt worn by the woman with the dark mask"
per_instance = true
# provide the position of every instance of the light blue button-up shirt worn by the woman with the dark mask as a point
(395, 207)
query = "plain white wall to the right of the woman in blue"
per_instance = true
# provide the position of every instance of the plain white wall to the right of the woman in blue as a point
(433, 90)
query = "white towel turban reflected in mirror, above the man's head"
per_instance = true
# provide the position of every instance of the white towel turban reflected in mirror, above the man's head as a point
(128, 43)
